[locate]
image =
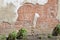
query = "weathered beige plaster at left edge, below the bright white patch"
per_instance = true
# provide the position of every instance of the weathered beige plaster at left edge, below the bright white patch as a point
(7, 14)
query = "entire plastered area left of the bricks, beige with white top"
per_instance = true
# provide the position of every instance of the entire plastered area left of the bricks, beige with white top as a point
(8, 10)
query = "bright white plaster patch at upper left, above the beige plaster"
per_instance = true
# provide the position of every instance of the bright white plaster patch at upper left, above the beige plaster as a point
(17, 3)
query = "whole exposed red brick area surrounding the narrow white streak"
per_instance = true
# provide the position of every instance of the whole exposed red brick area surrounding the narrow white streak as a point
(45, 24)
